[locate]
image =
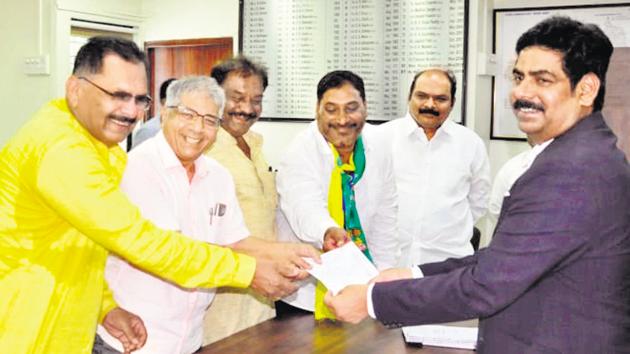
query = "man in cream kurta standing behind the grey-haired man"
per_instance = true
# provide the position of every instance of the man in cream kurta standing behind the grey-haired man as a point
(240, 150)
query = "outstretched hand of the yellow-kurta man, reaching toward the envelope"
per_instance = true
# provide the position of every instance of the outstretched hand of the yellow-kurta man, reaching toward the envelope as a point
(269, 280)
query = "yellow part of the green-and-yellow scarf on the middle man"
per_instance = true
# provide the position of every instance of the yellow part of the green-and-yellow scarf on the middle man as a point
(335, 209)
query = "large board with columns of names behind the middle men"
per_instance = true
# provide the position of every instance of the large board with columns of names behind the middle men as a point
(386, 42)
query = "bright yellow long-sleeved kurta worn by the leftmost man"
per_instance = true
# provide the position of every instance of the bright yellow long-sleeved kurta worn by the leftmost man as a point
(61, 210)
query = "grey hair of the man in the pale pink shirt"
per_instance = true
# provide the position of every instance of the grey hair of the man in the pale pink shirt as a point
(203, 84)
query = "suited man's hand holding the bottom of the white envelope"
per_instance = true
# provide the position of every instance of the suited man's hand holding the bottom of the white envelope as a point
(350, 305)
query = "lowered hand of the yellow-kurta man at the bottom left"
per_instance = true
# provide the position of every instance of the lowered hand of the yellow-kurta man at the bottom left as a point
(127, 328)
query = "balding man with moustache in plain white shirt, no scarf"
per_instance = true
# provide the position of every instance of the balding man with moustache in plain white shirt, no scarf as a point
(442, 173)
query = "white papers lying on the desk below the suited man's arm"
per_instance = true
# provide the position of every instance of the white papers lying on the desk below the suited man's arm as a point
(462, 335)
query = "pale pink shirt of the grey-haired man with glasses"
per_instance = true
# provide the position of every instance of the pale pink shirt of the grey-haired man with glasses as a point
(204, 209)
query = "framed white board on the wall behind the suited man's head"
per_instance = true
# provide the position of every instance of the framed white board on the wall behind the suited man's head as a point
(509, 24)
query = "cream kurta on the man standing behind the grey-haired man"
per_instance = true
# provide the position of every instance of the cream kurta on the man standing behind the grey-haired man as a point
(236, 309)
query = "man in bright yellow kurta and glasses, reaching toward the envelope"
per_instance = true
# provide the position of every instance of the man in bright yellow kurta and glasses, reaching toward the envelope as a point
(61, 211)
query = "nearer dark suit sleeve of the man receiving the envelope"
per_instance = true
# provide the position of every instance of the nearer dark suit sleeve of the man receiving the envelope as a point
(546, 225)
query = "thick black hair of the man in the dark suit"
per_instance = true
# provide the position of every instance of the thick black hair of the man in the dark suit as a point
(584, 47)
